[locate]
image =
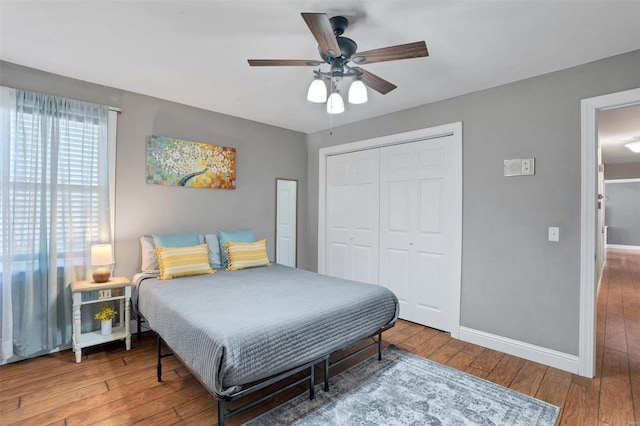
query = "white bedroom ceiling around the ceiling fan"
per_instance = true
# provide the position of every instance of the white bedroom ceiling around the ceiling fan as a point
(195, 52)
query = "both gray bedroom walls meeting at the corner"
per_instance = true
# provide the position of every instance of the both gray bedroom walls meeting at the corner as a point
(514, 283)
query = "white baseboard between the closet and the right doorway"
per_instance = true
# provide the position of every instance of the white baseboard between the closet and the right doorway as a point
(550, 357)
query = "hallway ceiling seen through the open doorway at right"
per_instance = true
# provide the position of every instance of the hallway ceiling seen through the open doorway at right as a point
(617, 127)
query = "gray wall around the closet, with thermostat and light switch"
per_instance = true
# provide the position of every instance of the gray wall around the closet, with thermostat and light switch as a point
(515, 283)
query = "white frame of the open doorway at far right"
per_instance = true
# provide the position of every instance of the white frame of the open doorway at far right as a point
(588, 221)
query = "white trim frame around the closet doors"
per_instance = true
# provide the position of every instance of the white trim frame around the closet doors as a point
(451, 129)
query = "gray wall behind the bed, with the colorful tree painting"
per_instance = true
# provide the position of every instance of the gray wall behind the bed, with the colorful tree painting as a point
(263, 153)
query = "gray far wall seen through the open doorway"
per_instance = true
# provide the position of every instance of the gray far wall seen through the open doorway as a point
(622, 213)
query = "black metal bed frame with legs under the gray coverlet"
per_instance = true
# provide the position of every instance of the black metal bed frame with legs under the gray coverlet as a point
(224, 410)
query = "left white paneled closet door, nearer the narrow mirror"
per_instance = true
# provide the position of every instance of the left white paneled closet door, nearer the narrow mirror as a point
(352, 216)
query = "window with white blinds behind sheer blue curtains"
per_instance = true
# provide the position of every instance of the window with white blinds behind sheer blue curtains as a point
(78, 205)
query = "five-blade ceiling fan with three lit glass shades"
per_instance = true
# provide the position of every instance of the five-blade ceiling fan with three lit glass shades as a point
(338, 52)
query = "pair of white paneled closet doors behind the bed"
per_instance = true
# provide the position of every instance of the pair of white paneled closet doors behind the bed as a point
(393, 218)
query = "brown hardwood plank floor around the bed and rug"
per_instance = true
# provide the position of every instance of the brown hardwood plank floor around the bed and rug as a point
(116, 387)
